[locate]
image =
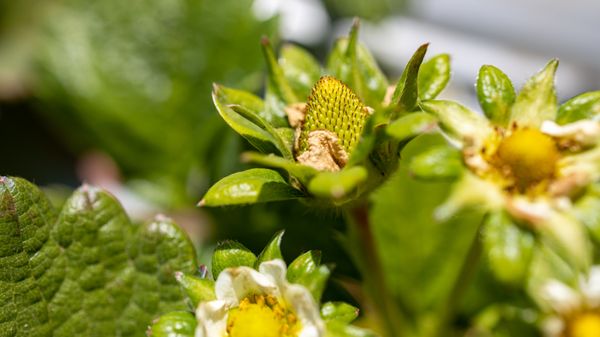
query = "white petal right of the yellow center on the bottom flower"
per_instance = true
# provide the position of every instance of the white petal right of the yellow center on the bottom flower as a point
(306, 310)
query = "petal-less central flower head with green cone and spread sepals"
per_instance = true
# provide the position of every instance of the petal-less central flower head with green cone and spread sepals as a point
(336, 133)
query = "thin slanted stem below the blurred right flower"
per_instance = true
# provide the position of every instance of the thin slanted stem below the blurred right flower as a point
(461, 284)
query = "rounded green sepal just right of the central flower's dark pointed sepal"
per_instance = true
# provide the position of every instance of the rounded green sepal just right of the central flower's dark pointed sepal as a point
(434, 75)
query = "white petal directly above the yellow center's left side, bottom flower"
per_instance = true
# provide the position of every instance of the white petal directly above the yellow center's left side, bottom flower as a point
(234, 284)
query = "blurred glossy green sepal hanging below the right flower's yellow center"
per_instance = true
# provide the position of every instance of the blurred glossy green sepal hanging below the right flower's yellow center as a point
(508, 248)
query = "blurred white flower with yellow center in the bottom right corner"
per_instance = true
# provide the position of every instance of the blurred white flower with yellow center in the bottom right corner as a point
(573, 312)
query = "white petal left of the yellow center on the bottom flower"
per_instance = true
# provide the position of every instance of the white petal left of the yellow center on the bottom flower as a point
(212, 319)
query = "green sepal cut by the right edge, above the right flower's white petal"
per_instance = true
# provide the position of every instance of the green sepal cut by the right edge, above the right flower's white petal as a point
(584, 106)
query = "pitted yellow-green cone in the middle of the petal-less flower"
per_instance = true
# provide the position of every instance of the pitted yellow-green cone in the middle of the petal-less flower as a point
(334, 107)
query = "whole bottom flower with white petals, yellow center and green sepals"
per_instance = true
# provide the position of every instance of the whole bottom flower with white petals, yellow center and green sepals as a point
(259, 296)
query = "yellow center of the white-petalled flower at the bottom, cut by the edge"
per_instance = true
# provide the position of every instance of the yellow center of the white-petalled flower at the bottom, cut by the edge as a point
(262, 315)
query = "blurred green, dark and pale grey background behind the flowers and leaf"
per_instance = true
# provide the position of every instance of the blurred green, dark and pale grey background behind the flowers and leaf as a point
(117, 93)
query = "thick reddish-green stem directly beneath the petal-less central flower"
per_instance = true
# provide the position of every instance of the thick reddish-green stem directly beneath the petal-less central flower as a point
(367, 259)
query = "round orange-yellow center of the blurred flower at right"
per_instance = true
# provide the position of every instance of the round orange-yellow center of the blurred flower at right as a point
(527, 157)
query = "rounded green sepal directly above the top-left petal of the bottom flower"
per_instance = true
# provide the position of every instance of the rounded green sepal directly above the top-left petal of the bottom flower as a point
(231, 254)
